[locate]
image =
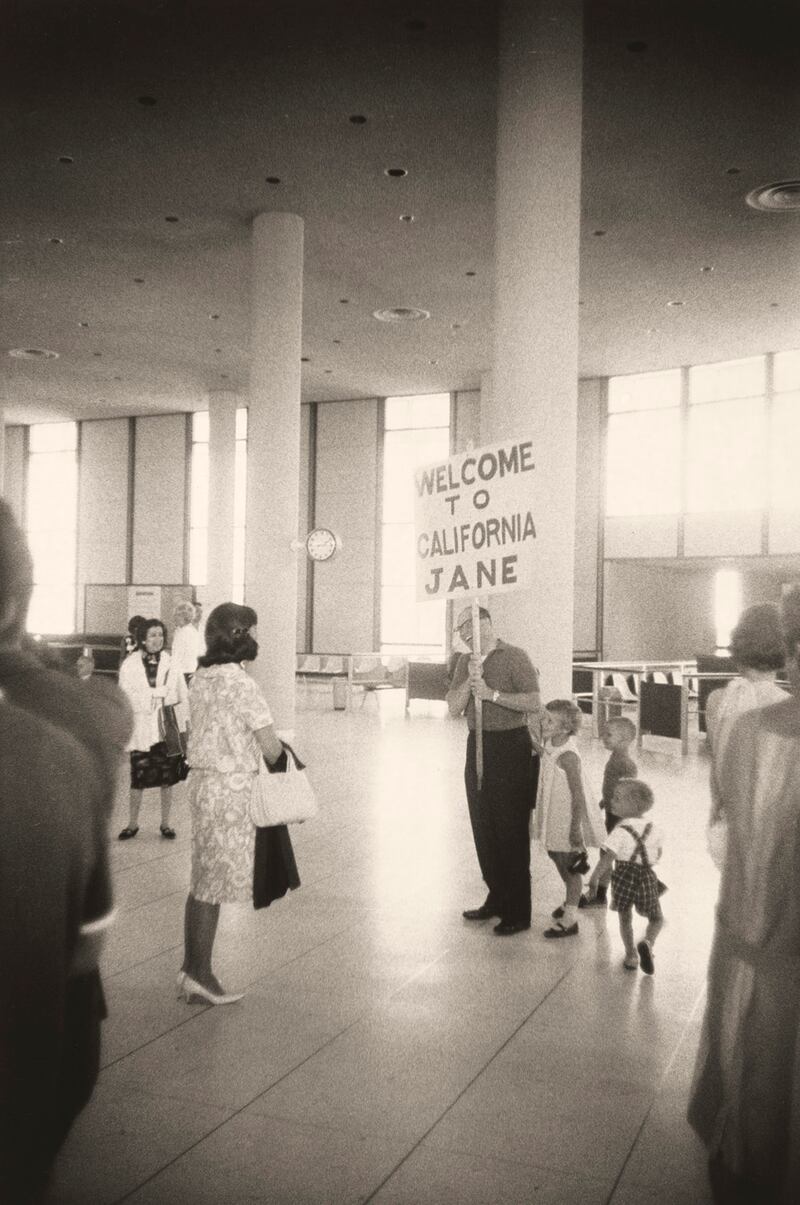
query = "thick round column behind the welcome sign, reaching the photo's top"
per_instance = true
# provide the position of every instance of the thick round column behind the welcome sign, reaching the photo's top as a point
(534, 380)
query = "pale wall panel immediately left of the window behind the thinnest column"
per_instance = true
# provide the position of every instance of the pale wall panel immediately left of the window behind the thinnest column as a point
(160, 499)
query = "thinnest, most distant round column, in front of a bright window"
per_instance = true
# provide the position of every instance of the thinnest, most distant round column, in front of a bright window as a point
(222, 443)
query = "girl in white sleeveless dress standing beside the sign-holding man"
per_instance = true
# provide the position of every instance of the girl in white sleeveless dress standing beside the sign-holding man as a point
(564, 821)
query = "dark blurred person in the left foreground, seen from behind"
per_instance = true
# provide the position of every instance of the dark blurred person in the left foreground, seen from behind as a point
(61, 745)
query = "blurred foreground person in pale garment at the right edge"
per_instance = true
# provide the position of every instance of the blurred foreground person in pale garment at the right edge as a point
(746, 1097)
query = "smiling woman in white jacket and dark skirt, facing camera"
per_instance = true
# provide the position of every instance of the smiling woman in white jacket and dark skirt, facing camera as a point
(150, 685)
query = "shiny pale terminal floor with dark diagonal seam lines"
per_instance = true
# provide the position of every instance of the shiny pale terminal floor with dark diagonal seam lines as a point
(386, 1050)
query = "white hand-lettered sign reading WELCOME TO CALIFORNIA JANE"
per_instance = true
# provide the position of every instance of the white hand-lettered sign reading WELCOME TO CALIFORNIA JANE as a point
(474, 522)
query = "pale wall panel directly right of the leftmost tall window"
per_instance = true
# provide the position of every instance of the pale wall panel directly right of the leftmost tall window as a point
(103, 505)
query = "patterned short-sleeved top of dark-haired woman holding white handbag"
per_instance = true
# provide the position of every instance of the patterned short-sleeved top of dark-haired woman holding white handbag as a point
(227, 707)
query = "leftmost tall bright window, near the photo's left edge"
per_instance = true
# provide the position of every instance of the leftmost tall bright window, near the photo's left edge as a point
(52, 516)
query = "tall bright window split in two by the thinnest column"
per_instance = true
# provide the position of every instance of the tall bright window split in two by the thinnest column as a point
(199, 503)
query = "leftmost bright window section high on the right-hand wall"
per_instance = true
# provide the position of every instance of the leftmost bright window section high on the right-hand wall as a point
(644, 445)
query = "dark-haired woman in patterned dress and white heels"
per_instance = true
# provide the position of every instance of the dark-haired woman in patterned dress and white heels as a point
(232, 728)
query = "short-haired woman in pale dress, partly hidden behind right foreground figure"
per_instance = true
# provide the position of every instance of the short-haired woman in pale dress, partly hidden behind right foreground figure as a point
(757, 653)
